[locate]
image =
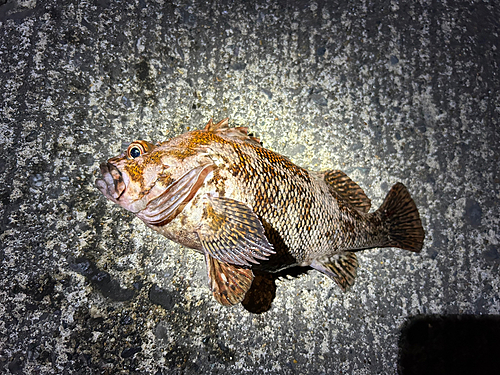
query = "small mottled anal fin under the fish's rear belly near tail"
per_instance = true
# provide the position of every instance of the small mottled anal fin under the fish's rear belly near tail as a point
(340, 267)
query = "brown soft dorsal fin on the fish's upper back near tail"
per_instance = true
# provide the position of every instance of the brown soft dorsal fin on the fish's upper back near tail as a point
(348, 190)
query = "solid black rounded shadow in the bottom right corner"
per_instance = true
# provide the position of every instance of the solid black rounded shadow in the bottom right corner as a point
(451, 344)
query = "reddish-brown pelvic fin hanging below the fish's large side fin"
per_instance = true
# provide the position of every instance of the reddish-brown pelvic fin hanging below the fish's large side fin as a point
(228, 283)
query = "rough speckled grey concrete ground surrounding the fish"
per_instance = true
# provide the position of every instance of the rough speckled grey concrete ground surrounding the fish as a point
(385, 91)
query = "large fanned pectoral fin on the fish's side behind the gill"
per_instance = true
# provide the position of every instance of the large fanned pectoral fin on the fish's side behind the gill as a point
(232, 233)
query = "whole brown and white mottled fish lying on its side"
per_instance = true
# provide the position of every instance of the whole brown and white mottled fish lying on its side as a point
(248, 209)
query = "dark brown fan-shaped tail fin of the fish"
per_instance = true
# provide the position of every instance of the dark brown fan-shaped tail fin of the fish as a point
(400, 215)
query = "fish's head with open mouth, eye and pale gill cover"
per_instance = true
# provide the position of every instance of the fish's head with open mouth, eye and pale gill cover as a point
(153, 181)
